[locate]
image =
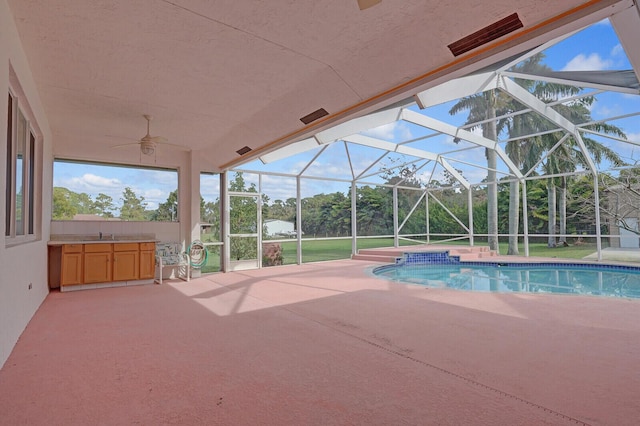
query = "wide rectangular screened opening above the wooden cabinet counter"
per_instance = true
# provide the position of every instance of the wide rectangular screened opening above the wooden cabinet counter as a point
(102, 191)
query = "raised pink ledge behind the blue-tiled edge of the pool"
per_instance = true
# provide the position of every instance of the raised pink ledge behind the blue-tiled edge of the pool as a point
(389, 255)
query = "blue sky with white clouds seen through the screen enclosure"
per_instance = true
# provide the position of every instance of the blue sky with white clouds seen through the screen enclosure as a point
(595, 48)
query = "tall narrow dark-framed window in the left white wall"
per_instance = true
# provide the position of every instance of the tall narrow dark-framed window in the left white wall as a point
(21, 175)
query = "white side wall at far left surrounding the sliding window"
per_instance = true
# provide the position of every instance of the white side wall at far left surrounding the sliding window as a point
(23, 264)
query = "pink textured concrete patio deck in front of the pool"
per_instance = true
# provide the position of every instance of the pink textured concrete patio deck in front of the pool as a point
(322, 344)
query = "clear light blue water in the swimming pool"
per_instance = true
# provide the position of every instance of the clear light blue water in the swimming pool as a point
(530, 278)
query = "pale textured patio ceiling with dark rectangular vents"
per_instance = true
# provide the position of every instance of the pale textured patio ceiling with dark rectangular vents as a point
(220, 75)
